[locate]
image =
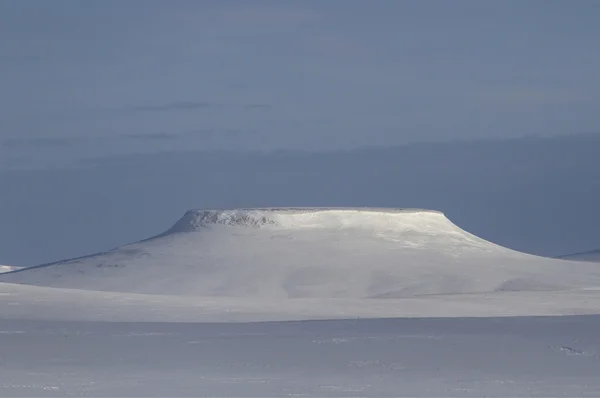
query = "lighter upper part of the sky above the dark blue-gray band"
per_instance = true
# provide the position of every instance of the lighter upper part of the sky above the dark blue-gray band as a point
(105, 77)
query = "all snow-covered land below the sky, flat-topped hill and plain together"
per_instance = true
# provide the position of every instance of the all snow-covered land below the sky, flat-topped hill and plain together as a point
(303, 302)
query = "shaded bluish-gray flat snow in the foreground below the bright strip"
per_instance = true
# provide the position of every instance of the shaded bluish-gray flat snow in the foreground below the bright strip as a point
(437, 357)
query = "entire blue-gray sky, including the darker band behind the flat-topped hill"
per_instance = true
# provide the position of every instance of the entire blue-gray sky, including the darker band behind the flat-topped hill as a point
(110, 79)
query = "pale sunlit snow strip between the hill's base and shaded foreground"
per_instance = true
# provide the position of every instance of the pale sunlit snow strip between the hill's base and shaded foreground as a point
(35, 302)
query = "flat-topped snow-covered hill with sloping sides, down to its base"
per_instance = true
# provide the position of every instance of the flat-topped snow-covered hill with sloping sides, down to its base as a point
(312, 253)
